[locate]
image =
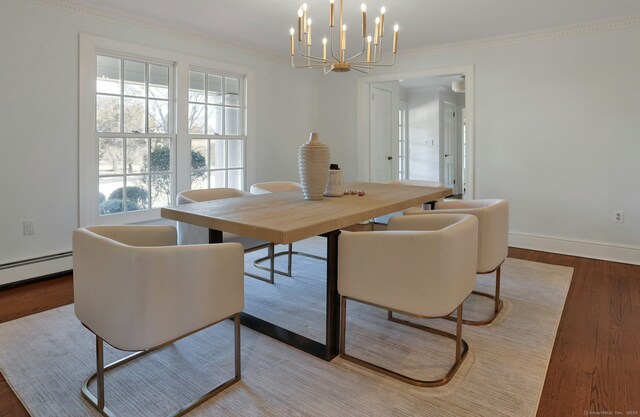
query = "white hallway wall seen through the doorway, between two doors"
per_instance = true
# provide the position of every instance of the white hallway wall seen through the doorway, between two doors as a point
(423, 106)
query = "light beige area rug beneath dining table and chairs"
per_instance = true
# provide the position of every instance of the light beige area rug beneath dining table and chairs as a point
(45, 357)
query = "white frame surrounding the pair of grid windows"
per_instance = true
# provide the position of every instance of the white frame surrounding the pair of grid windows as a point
(90, 47)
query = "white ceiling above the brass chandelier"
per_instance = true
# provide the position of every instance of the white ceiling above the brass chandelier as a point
(264, 24)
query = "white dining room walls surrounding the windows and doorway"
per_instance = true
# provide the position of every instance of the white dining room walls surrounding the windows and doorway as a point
(556, 129)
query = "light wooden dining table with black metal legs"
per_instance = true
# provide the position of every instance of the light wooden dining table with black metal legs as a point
(284, 218)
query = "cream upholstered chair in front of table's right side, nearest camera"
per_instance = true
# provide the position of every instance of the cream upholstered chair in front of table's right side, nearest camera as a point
(423, 266)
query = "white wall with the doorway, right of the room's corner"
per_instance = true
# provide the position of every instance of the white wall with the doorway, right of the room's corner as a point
(555, 132)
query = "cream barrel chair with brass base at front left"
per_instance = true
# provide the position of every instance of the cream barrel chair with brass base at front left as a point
(135, 289)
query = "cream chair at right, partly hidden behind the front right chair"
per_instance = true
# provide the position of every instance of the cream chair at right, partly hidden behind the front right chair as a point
(493, 231)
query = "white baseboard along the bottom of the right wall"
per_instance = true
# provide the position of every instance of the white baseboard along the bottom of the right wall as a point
(585, 249)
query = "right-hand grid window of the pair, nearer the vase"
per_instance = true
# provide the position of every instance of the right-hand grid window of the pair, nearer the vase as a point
(216, 130)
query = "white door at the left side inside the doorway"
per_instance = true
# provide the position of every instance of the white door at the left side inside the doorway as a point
(381, 136)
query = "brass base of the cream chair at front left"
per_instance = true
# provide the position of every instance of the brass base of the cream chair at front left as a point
(99, 402)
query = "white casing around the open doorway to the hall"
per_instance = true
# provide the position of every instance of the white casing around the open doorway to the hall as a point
(364, 114)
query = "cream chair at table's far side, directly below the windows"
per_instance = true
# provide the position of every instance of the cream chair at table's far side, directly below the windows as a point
(189, 234)
